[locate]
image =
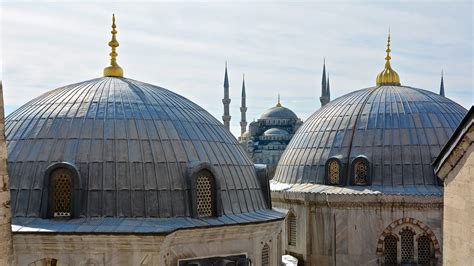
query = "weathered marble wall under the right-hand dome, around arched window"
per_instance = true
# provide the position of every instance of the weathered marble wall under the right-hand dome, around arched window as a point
(350, 233)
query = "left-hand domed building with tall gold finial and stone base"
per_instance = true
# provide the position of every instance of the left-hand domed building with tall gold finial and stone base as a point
(114, 171)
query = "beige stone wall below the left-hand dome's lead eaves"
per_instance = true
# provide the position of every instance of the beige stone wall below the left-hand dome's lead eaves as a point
(129, 249)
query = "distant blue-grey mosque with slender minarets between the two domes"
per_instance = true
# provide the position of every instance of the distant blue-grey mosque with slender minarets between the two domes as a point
(267, 138)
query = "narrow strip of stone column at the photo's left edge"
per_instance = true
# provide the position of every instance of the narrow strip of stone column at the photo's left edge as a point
(6, 248)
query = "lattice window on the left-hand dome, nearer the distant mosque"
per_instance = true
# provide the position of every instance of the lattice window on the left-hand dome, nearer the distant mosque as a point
(205, 194)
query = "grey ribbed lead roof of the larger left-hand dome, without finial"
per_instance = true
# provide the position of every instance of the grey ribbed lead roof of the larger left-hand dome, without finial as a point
(132, 144)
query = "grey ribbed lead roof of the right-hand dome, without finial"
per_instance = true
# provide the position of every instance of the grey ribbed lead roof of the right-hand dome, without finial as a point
(398, 129)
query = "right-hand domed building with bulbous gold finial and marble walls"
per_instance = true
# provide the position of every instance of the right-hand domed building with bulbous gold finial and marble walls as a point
(357, 177)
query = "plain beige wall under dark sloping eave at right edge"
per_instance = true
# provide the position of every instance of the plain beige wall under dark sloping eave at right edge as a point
(458, 223)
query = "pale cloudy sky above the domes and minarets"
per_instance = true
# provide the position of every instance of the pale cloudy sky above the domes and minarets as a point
(280, 47)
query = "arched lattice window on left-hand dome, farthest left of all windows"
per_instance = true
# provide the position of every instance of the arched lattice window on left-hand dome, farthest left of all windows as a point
(62, 193)
